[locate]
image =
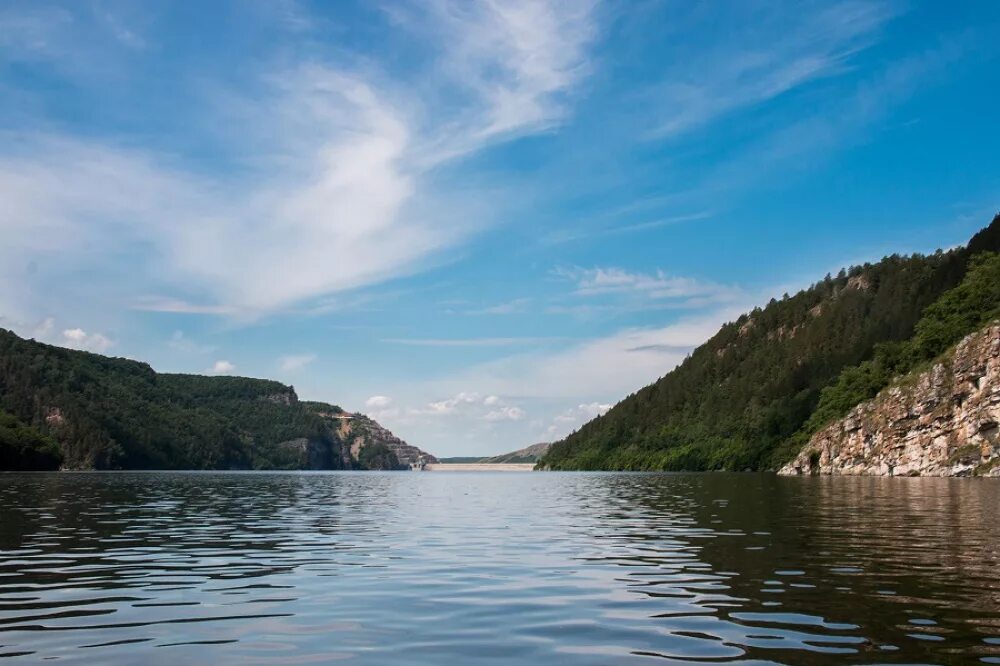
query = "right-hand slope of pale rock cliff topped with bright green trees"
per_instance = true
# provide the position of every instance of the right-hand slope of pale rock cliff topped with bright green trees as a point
(940, 411)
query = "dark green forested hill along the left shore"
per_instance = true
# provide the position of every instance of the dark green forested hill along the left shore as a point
(86, 411)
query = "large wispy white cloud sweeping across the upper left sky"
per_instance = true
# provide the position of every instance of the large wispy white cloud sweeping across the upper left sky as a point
(342, 192)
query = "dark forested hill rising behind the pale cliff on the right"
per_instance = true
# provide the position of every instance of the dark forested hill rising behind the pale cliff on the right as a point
(746, 398)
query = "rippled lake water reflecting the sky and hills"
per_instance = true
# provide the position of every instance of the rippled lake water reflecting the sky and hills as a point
(494, 568)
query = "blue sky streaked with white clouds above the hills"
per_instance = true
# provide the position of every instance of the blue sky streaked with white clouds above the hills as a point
(481, 223)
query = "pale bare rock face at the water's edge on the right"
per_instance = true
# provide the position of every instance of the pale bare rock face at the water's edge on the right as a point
(942, 422)
